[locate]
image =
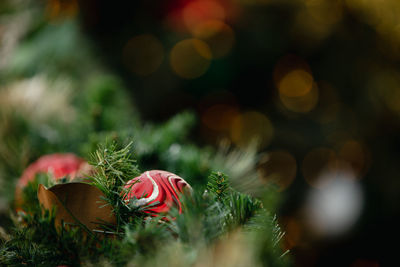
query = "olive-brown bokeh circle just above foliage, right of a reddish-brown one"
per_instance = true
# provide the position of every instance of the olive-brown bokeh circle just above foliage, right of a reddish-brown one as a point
(252, 127)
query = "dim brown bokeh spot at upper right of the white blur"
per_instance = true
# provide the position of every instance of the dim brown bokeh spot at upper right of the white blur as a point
(354, 153)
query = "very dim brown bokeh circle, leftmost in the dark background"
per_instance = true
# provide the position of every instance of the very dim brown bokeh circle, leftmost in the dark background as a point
(143, 54)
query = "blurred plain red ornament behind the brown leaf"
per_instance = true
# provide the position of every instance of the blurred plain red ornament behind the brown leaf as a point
(59, 165)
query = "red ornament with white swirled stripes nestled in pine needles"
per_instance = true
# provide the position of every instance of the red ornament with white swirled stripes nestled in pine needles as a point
(160, 188)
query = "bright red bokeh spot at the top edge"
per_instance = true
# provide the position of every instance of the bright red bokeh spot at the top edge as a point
(200, 11)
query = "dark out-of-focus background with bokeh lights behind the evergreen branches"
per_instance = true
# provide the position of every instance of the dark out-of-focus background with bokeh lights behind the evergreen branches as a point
(315, 83)
